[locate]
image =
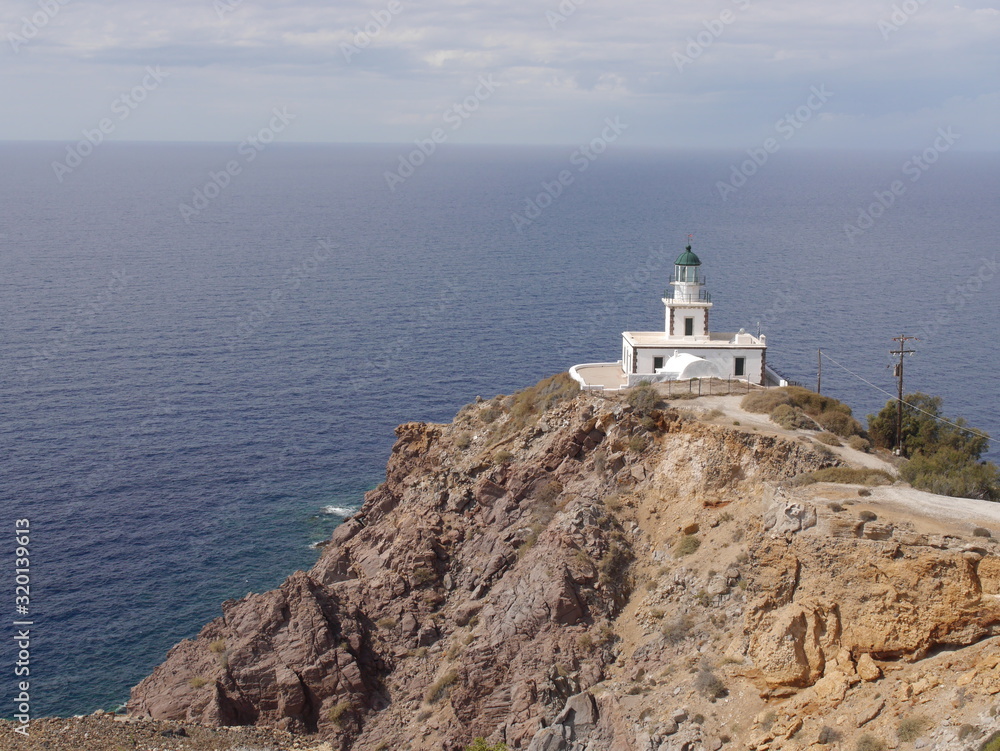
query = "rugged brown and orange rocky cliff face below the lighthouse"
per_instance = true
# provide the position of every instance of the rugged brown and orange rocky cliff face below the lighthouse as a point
(490, 587)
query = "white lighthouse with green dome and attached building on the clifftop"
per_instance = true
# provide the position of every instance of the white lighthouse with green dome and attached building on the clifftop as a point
(687, 347)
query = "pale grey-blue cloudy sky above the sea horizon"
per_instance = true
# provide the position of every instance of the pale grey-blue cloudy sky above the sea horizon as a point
(678, 74)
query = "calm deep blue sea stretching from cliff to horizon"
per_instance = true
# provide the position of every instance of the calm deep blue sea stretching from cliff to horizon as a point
(188, 403)
